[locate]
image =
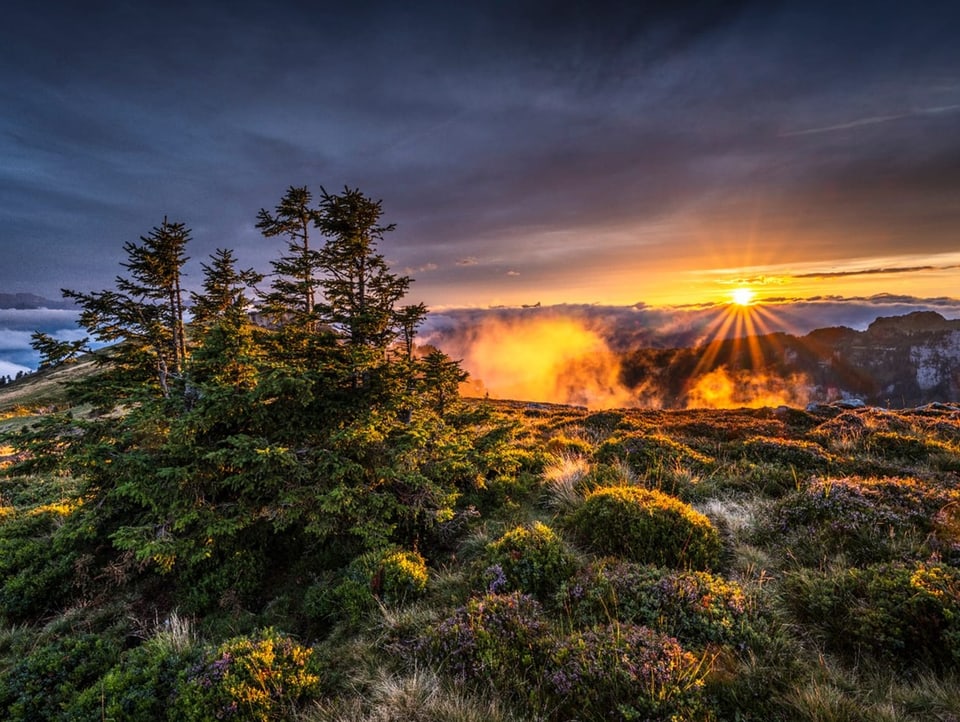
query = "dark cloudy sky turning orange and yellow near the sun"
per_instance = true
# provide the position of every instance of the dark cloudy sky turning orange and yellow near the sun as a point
(628, 153)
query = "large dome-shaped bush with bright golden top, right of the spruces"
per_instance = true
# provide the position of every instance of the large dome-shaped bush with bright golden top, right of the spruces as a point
(646, 526)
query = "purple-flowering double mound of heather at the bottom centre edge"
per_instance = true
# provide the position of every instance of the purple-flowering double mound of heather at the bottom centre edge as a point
(611, 672)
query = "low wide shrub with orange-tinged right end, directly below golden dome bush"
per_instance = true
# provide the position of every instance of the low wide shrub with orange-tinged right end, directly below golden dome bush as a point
(698, 608)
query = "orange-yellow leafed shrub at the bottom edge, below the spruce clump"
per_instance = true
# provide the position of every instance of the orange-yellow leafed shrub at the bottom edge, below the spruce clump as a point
(248, 678)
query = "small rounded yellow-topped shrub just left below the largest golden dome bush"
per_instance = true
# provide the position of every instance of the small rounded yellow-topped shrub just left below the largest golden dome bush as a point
(533, 559)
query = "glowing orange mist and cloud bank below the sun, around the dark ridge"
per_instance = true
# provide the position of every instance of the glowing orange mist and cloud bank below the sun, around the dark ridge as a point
(572, 354)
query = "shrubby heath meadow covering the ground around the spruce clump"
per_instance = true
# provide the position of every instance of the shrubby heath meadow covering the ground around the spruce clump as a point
(767, 564)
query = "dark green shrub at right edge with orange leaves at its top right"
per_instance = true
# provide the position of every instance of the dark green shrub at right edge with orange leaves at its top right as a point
(897, 613)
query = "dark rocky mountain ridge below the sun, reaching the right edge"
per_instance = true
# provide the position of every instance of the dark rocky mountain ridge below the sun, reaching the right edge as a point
(900, 362)
